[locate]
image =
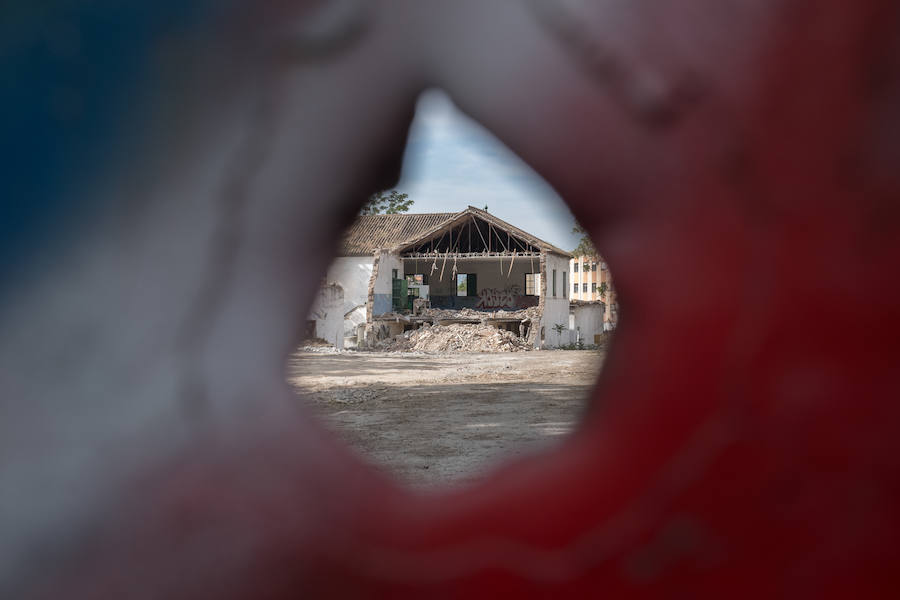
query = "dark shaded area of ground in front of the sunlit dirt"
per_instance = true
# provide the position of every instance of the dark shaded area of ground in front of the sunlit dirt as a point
(449, 433)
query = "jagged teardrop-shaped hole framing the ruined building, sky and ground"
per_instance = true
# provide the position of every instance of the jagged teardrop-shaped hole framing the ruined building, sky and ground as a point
(466, 317)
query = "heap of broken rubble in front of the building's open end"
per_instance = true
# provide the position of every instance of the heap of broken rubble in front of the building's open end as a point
(455, 338)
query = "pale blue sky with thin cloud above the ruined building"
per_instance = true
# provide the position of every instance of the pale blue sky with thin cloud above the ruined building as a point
(451, 162)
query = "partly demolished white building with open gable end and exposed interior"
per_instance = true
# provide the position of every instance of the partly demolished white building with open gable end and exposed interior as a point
(398, 272)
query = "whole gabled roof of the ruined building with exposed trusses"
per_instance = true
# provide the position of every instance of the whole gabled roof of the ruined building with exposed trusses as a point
(471, 232)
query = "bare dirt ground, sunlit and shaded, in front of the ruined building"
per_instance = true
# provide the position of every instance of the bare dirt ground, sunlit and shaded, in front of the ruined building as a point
(433, 419)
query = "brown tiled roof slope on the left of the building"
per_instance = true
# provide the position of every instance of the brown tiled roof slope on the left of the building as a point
(371, 232)
